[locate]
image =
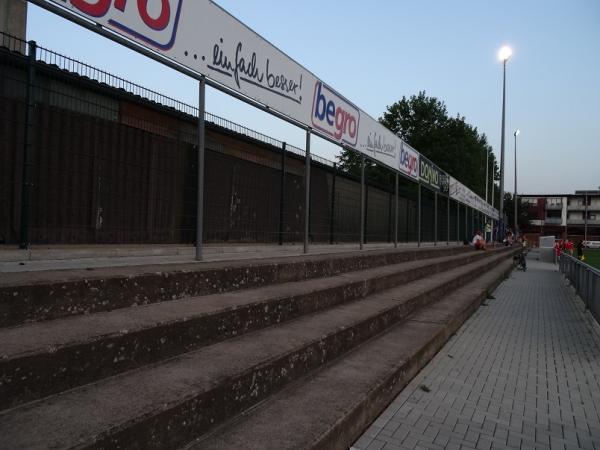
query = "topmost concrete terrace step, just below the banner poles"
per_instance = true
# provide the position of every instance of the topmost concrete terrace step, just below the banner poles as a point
(27, 297)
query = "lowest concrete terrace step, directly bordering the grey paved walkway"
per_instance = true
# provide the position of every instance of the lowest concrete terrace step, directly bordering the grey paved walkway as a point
(330, 408)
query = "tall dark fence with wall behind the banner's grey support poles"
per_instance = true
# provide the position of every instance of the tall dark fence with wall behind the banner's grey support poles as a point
(88, 157)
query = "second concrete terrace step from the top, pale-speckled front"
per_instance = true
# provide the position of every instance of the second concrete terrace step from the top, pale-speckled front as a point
(43, 358)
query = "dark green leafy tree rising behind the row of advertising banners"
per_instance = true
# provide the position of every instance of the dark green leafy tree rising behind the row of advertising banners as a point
(450, 142)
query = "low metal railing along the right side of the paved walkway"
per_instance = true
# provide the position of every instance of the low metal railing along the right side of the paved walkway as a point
(586, 281)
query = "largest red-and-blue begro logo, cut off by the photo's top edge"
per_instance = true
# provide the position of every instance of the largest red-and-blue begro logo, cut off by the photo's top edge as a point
(152, 21)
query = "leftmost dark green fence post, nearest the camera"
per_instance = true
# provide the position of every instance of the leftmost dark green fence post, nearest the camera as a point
(28, 149)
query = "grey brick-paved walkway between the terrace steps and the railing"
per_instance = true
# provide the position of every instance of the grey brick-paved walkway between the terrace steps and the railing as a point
(523, 373)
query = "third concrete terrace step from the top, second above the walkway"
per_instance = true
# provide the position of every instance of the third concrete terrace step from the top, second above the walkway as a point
(168, 404)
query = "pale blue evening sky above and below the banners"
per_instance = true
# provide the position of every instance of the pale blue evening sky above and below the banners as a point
(375, 52)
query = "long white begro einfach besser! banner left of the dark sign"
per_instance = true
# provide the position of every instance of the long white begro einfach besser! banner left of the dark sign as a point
(201, 36)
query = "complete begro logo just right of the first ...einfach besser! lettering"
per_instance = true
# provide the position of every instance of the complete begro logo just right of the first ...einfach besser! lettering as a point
(335, 116)
